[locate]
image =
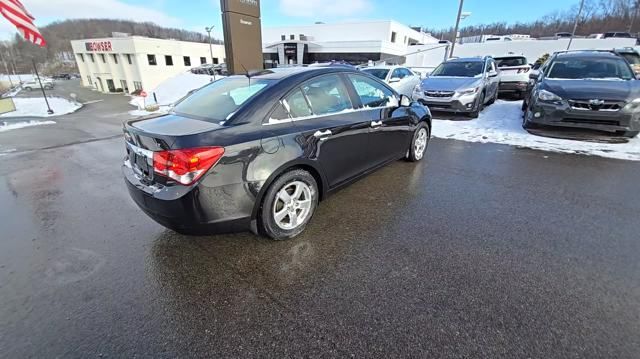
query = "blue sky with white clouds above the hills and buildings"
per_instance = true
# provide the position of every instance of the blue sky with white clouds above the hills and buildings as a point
(196, 14)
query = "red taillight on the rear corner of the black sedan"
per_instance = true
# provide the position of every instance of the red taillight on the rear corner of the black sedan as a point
(187, 165)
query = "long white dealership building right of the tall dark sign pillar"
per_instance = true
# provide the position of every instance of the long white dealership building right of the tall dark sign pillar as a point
(354, 42)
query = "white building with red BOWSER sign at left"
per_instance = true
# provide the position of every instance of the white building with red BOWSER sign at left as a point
(135, 62)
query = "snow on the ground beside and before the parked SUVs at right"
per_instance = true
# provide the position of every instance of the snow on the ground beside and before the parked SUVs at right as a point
(502, 123)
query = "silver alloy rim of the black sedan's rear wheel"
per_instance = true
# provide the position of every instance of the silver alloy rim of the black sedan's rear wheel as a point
(292, 205)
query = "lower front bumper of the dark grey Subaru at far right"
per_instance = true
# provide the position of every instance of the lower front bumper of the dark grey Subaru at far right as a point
(564, 116)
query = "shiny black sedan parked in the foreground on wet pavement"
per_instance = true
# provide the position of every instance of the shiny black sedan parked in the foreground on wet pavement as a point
(259, 152)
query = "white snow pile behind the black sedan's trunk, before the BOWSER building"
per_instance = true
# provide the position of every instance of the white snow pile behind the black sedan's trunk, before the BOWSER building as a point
(173, 89)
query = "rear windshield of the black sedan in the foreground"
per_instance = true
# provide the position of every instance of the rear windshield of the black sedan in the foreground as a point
(217, 101)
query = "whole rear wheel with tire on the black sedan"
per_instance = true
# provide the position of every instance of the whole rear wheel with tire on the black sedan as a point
(289, 205)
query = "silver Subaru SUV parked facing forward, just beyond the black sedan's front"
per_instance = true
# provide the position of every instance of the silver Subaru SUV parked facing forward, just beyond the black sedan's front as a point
(460, 85)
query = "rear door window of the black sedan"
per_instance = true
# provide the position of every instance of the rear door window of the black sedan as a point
(327, 95)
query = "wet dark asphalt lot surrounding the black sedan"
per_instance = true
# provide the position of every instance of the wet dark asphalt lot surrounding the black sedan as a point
(481, 251)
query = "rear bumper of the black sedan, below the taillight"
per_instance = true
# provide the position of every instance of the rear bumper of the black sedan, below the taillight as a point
(191, 210)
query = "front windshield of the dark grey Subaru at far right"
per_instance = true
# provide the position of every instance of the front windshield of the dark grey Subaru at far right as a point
(590, 68)
